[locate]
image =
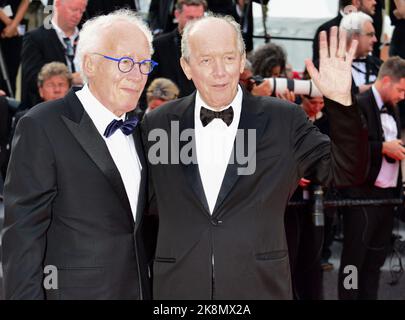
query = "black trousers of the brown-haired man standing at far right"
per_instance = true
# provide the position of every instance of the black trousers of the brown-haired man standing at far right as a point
(367, 234)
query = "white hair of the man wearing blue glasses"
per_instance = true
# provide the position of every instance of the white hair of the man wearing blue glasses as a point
(94, 31)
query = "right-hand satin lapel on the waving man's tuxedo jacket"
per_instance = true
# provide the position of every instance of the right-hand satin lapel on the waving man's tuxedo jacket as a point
(249, 120)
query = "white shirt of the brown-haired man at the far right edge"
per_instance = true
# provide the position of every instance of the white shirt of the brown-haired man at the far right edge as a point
(388, 175)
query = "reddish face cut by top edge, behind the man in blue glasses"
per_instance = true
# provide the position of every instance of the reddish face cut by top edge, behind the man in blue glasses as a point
(70, 12)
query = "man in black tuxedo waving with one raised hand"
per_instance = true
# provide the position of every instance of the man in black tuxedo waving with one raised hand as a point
(222, 236)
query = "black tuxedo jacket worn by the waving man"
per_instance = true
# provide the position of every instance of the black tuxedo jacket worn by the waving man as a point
(240, 251)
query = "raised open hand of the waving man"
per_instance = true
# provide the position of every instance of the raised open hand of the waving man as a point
(334, 78)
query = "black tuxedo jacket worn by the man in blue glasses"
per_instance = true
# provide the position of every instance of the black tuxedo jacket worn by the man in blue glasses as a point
(66, 206)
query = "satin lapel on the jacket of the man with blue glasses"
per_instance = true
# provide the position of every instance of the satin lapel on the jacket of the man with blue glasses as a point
(84, 131)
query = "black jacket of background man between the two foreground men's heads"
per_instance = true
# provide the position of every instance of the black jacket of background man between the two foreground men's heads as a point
(167, 54)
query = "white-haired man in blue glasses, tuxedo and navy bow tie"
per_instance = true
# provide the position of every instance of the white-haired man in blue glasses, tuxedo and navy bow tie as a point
(76, 186)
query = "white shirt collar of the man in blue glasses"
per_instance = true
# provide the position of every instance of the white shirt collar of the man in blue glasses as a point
(97, 112)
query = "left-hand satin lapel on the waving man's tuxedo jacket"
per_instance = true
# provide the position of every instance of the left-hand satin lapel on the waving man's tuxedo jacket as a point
(191, 171)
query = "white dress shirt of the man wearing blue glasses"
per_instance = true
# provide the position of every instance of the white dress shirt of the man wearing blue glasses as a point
(121, 147)
